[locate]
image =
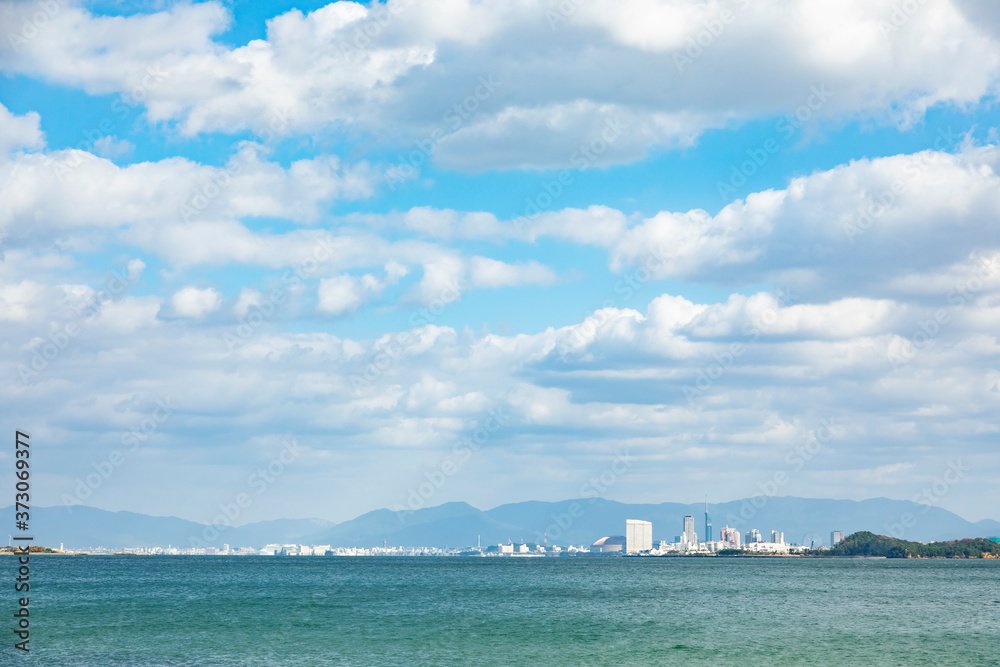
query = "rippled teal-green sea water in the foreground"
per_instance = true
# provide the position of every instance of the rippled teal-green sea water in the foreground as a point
(109, 610)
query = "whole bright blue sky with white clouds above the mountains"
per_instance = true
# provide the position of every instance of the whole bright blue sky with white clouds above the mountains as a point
(275, 260)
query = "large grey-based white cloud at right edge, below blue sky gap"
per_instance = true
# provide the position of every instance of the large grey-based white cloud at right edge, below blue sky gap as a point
(854, 228)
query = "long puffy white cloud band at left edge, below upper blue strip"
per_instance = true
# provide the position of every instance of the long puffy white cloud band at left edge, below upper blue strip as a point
(160, 198)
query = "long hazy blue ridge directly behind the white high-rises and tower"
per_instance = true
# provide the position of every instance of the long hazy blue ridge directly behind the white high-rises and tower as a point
(585, 520)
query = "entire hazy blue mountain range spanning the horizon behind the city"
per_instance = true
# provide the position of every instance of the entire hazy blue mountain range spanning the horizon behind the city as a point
(582, 521)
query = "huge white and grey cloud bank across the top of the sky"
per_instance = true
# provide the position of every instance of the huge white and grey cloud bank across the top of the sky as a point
(396, 74)
